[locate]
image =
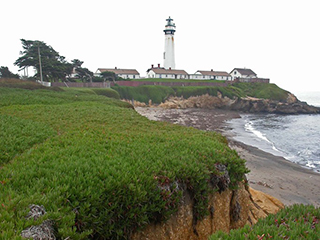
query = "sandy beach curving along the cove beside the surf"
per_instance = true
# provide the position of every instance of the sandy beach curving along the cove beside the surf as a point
(287, 181)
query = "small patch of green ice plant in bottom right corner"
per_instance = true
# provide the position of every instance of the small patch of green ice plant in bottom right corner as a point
(294, 222)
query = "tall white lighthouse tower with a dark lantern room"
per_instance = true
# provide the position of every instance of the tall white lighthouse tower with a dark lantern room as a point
(168, 54)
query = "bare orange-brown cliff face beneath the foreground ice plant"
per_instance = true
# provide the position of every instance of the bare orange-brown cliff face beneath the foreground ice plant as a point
(229, 209)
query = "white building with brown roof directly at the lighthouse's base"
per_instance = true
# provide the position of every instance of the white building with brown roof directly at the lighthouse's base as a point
(160, 72)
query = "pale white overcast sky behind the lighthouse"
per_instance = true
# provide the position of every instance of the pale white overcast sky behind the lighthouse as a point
(277, 39)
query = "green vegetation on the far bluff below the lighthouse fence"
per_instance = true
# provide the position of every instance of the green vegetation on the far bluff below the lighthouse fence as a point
(159, 94)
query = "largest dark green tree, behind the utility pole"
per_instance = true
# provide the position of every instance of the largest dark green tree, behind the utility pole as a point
(54, 66)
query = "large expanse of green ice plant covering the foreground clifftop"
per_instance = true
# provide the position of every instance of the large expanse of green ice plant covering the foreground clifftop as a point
(100, 170)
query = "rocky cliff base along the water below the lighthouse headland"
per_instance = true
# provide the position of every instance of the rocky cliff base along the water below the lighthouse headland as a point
(252, 105)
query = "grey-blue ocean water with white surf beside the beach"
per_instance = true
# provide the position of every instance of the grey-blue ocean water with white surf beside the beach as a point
(294, 137)
